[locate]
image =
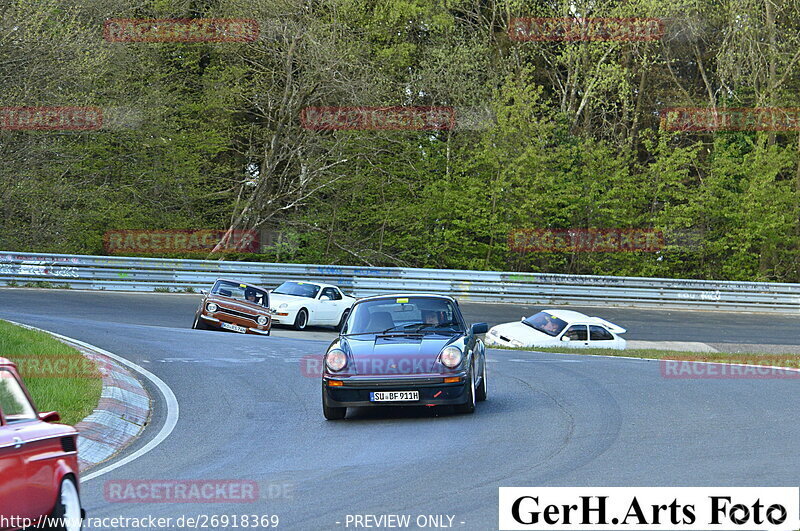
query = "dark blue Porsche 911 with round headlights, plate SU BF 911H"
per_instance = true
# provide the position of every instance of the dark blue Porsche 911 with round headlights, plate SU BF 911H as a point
(404, 350)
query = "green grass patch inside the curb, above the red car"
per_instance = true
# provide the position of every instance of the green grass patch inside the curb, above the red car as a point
(73, 392)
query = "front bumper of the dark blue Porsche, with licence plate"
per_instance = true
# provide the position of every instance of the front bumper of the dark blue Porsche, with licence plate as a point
(355, 391)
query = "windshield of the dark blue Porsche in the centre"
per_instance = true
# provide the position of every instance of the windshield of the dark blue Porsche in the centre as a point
(404, 315)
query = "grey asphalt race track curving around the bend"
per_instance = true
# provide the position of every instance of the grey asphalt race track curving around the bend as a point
(247, 412)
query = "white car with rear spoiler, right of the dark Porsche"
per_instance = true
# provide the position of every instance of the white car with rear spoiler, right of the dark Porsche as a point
(554, 328)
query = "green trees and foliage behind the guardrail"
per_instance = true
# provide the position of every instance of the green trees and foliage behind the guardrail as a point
(549, 135)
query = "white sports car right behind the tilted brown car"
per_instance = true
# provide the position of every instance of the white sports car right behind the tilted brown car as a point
(301, 304)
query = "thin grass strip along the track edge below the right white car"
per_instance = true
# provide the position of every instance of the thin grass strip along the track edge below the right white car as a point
(751, 358)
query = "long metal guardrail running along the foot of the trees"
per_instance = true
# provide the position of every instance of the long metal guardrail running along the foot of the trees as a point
(159, 274)
